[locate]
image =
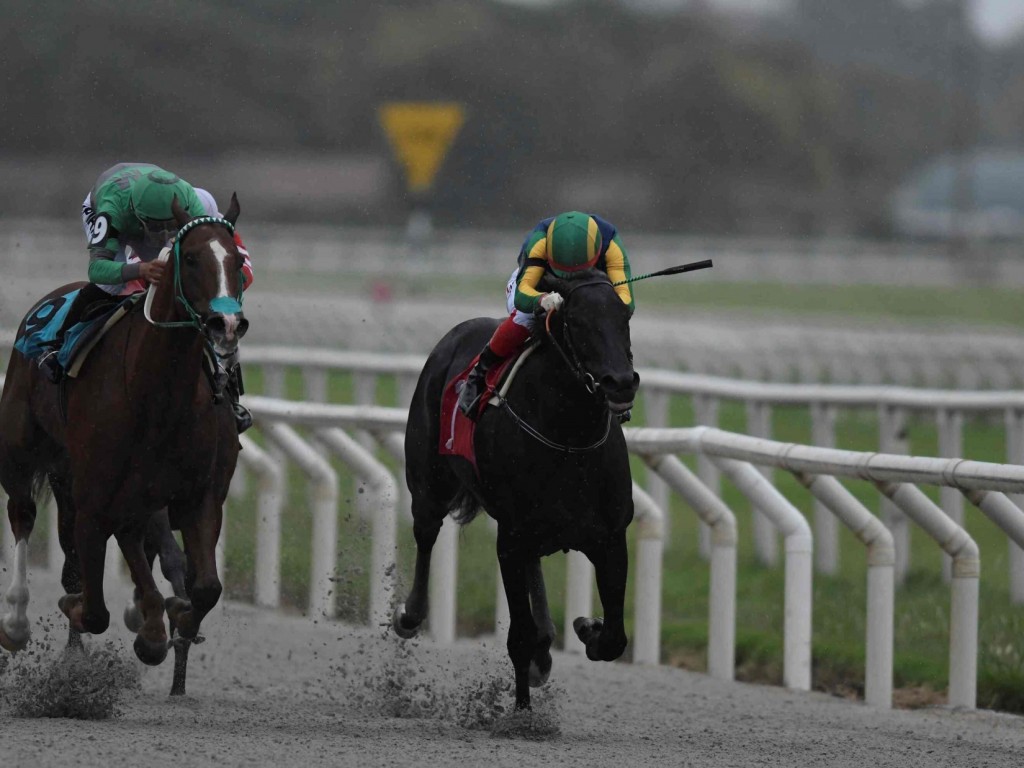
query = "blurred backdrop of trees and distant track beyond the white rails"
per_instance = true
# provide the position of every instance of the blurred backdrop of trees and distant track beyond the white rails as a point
(856, 162)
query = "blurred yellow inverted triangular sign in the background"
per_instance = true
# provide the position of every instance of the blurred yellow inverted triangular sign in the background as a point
(421, 134)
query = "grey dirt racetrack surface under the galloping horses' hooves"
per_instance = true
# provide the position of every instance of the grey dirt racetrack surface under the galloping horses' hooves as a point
(277, 691)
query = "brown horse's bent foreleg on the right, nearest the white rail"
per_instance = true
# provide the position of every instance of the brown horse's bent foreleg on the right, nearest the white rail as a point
(200, 535)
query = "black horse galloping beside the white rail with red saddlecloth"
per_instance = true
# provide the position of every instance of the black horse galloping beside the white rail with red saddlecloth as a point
(553, 471)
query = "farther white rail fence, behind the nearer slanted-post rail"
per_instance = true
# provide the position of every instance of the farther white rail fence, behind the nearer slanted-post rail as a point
(894, 407)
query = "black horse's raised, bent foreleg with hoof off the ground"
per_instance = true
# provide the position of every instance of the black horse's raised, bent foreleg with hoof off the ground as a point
(606, 641)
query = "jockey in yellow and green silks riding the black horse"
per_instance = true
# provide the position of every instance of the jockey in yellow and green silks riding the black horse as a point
(564, 245)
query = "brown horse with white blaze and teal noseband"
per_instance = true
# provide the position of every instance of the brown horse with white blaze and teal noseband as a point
(143, 433)
